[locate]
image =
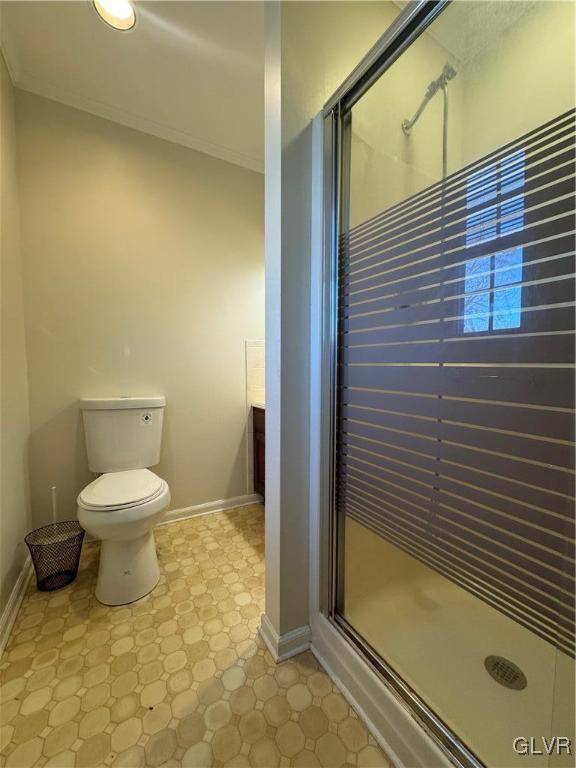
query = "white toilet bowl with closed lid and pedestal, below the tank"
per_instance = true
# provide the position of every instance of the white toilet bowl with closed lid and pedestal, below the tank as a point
(121, 509)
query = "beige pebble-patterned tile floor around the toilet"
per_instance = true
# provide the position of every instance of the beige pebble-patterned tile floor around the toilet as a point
(179, 678)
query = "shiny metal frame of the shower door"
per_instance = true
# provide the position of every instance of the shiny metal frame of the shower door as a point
(405, 30)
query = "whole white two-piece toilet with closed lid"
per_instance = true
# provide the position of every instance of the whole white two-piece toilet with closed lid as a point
(122, 506)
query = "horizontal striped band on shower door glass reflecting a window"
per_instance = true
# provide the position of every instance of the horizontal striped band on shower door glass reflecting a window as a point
(455, 387)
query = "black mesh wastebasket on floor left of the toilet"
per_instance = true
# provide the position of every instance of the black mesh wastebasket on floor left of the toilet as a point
(55, 551)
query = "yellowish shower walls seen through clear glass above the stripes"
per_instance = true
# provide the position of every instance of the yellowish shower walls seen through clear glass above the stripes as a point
(489, 104)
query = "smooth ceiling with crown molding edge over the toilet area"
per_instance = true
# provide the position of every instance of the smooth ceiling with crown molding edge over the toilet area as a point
(189, 72)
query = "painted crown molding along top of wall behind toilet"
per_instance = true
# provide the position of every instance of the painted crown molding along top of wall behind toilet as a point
(26, 82)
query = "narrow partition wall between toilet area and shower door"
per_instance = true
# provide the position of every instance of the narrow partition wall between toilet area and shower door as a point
(311, 48)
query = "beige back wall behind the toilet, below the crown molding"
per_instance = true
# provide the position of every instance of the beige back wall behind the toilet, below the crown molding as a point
(143, 274)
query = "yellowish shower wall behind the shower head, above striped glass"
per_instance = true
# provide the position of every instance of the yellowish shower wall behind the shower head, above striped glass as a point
(386, 165)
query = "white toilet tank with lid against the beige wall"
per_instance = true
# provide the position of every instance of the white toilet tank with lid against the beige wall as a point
(122, 432)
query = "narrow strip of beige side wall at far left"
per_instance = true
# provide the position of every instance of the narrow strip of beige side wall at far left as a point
(14, 423)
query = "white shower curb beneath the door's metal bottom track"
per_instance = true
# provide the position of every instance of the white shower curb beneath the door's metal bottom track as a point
(401, 737)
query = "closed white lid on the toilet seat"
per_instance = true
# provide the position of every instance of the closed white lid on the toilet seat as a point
(115, 489)
